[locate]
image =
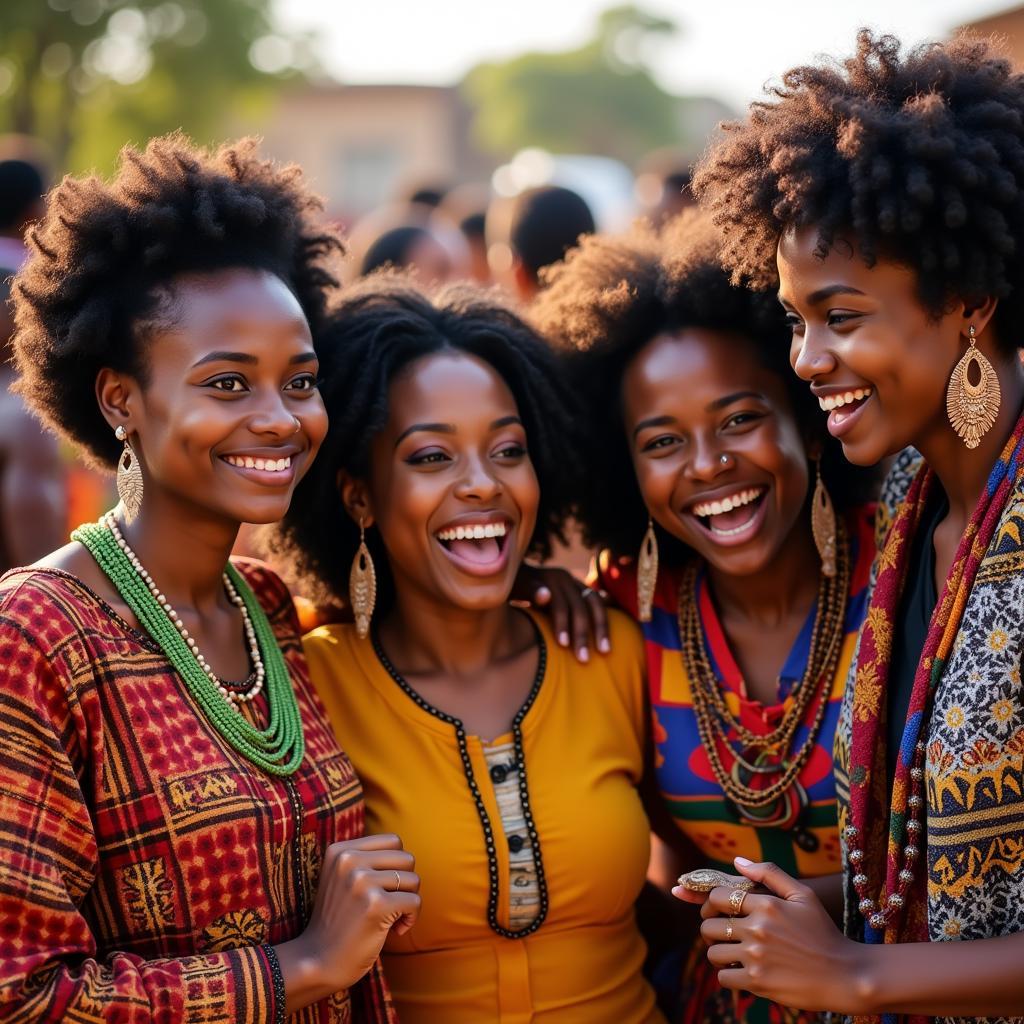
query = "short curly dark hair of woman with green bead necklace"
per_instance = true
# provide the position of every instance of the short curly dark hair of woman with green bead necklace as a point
(104, 262)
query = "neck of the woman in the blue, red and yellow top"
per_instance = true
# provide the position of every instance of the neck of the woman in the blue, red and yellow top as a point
(788, 585)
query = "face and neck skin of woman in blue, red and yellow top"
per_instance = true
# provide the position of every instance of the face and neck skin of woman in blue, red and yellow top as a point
(689, 400)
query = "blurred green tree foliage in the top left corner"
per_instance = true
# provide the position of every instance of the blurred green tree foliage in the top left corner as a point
(88, 76)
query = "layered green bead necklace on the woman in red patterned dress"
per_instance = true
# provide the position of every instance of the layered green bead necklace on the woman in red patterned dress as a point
(280, 748)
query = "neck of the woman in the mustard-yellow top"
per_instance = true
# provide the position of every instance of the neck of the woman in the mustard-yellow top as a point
(423, 636)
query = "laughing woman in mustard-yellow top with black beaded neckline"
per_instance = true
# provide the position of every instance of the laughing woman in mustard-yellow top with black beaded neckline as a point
(511, 767)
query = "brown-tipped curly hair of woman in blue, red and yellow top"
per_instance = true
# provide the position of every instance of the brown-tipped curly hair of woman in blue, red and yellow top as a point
(607, 303)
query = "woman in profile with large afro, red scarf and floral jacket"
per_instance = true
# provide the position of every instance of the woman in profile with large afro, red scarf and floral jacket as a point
(884, 198)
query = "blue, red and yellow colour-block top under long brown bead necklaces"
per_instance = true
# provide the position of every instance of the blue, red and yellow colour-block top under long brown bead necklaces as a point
(688, 784)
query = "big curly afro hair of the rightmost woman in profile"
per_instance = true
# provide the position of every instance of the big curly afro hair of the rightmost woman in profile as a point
(916, 157)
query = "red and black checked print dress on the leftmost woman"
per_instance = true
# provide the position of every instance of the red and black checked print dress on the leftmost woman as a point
(143, 862)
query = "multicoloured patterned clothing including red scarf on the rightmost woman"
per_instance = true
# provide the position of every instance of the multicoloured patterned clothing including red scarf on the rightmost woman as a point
(973, 836)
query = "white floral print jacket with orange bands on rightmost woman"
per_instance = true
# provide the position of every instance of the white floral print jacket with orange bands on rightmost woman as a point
(974, 770)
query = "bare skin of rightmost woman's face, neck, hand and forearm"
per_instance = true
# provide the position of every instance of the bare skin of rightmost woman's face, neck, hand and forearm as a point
(858, 325)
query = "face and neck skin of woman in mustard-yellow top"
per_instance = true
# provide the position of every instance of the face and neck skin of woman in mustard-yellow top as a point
(453, 453)
